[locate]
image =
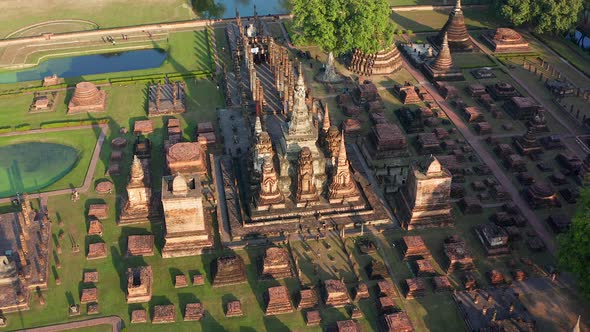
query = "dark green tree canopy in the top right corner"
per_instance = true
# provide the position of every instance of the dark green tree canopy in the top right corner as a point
(557, 16)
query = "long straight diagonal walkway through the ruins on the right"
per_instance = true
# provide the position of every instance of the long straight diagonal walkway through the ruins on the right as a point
(486, 158)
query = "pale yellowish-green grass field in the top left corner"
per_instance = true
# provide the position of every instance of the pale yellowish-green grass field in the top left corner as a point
(16, 14)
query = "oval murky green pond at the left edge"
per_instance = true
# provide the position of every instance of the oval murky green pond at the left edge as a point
(27, 167)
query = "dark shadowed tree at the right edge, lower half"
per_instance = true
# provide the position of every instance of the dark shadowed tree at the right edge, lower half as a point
(574, 246)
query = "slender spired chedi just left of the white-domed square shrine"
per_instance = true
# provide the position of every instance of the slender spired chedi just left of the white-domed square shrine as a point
(137, 206)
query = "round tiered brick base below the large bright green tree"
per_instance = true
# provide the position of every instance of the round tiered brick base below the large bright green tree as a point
(381, 63)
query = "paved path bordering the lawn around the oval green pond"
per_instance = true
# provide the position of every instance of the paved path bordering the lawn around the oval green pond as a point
(91, 167)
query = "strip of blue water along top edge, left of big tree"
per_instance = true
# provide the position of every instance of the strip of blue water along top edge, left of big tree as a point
(227, 8)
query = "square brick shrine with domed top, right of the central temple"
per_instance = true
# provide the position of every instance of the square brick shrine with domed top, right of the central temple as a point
(425, 199)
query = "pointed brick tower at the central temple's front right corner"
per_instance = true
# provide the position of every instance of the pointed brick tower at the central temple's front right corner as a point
(343, 187)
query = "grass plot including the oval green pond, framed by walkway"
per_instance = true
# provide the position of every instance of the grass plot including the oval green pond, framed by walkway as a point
(43, 171)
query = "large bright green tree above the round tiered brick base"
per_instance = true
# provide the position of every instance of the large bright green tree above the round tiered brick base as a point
(341, 26)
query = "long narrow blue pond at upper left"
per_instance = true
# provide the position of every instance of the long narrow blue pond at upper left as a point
(88, 65)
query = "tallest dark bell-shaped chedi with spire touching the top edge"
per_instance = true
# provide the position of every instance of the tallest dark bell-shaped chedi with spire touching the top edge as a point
(459, 40)
